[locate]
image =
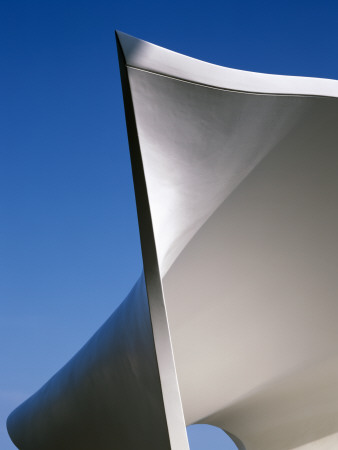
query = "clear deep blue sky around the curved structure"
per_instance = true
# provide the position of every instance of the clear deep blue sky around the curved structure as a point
(69, 244)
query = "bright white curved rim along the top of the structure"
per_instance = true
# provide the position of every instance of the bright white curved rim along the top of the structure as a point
(143, 55)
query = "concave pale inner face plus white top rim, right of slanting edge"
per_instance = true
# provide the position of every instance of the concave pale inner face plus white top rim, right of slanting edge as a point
(242, 179)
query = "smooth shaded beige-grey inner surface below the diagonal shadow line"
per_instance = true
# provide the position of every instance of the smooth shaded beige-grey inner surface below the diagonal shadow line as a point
(256, 334)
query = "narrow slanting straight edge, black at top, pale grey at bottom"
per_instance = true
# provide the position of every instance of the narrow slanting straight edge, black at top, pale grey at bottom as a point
(157, 308)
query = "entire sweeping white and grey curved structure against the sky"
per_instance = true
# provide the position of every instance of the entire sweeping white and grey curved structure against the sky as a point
(236, 182)
